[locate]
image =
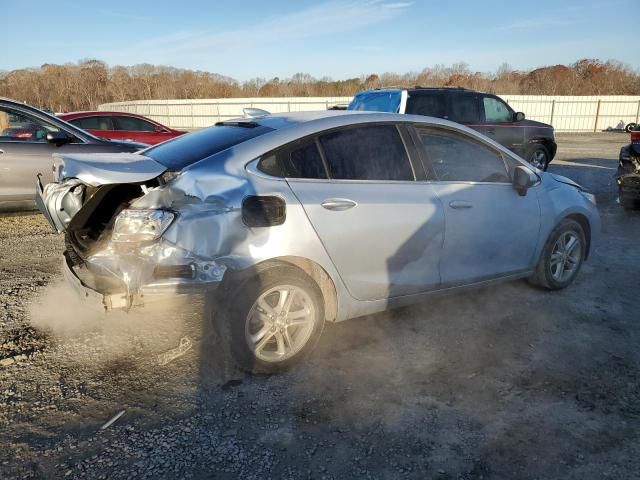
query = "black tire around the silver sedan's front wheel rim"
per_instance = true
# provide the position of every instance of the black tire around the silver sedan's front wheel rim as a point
(544, 276)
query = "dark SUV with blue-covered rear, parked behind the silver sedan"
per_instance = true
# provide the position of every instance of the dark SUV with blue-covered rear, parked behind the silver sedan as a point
(487, 113)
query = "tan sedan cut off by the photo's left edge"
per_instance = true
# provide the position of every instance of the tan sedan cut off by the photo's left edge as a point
(28, 138)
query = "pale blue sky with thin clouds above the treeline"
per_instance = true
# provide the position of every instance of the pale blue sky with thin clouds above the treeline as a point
(326, 38)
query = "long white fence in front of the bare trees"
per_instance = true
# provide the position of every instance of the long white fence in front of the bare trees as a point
(565, 113)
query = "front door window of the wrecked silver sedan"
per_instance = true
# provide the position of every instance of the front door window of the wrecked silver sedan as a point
(457, 158)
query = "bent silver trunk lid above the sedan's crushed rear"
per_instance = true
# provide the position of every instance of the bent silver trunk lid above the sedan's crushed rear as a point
(106, 168)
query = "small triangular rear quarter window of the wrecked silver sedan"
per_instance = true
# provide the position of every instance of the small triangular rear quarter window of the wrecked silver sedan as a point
(300, 160)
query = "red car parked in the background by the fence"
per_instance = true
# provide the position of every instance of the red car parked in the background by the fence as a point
(121, 126)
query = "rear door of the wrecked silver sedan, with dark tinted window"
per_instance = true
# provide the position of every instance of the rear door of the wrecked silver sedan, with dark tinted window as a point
(382, 229)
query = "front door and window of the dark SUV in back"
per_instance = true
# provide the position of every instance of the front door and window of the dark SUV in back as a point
(498, 123)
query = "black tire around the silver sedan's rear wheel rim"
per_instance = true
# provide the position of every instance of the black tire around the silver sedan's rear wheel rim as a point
(239, 303)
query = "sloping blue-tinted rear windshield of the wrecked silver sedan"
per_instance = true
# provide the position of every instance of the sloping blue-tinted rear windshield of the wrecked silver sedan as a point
(182, 151)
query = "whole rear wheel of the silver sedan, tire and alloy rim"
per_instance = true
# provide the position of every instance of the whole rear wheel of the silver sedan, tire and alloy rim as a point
(274, 318)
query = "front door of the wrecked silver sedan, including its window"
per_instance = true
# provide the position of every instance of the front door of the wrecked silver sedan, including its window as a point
(490, 230)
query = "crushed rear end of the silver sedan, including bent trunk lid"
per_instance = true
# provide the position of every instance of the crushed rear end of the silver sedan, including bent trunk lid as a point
(114, 249)
